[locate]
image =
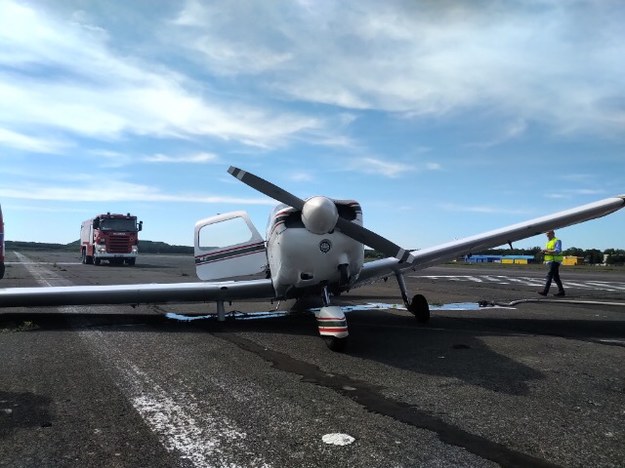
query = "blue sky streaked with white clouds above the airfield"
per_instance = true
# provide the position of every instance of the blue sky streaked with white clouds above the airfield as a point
(442, 118)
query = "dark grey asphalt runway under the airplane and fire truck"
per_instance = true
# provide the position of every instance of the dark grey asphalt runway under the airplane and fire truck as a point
(541, 383)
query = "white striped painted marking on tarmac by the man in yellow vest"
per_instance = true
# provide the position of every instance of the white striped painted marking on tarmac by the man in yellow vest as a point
(610, 286)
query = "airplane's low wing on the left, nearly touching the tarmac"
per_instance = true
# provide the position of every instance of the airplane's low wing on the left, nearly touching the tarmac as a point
(133, 294)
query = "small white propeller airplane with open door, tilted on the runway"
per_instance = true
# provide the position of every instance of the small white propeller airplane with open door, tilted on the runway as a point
(313, 247)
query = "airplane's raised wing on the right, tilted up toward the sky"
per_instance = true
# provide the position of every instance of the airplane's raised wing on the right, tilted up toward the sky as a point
(438, 254)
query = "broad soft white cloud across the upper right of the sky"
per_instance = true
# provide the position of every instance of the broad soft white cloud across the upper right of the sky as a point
(542, 61)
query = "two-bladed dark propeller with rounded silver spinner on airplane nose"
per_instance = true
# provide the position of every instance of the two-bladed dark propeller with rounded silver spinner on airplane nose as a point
(319, 215)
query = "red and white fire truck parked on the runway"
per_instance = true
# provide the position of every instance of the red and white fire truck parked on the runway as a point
(110, 237)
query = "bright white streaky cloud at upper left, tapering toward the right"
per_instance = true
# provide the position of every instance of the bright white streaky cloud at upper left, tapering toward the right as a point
(68, 76)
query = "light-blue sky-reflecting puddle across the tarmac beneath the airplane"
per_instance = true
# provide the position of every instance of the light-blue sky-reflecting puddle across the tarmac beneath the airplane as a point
(346, 309)
